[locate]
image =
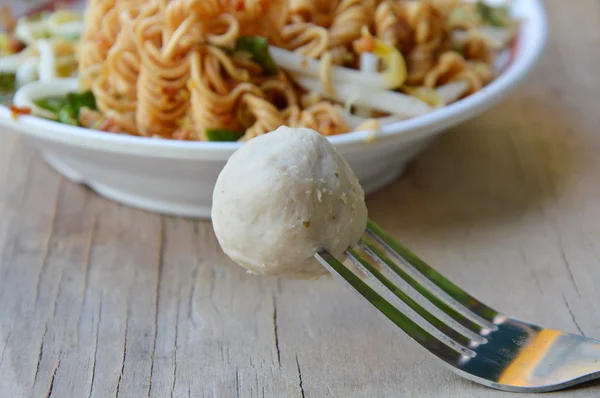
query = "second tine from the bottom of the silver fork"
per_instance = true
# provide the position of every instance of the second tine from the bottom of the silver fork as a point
(433, 319)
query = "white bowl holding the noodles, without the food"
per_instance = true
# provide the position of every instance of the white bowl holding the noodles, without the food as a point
(177, 178)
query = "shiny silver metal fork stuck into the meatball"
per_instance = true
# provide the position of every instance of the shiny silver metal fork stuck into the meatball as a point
(473, 339)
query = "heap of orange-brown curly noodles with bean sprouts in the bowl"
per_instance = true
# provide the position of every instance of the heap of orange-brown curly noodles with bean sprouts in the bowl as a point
(227, 70)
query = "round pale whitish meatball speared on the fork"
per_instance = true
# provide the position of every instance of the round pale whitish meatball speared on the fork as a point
(281, 198)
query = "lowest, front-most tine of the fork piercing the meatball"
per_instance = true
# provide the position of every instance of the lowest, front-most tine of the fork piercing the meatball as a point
(433, 340)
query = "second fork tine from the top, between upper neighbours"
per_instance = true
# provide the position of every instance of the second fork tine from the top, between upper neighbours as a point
(448, 317)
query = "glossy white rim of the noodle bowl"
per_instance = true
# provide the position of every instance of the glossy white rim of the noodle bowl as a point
(529, 46)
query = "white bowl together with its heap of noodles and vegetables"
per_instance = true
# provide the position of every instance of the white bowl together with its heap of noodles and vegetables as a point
(160, 93)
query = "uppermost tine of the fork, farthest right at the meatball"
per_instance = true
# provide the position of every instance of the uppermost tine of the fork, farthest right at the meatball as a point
(452, 294)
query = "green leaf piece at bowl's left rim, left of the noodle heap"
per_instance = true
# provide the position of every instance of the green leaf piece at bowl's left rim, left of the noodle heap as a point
(66, 108)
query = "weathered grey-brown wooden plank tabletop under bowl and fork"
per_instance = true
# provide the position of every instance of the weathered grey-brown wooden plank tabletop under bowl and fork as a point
(99, 300)
